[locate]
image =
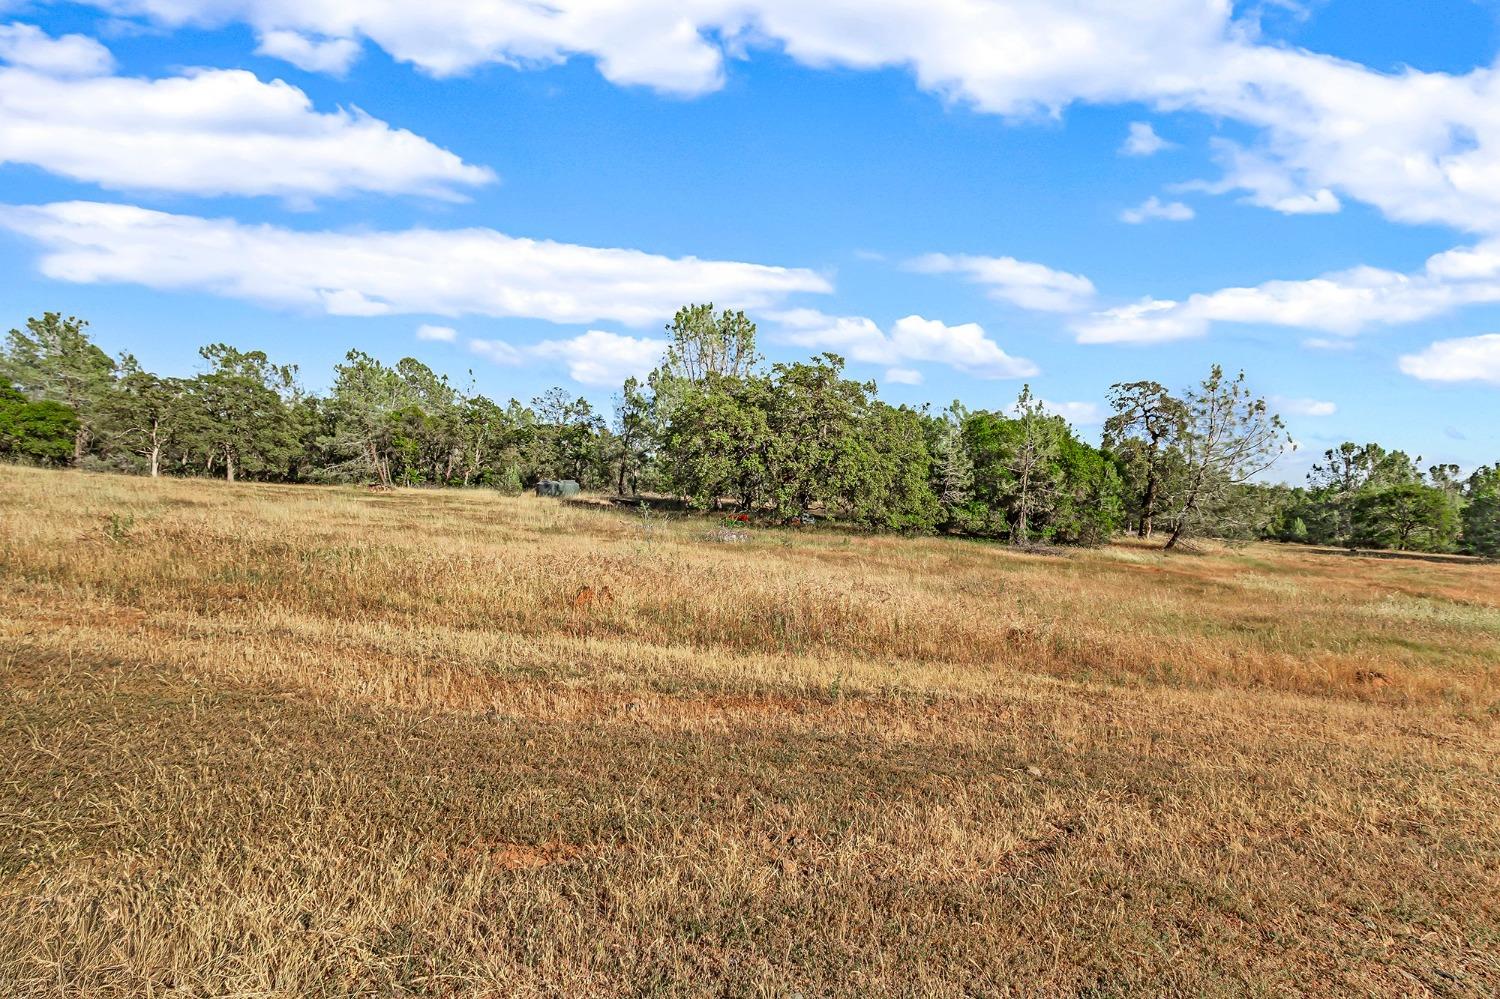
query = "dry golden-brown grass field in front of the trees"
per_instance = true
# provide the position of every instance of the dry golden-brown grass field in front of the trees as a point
(284, 742)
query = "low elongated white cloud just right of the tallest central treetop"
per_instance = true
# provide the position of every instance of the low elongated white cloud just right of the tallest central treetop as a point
(967, 347)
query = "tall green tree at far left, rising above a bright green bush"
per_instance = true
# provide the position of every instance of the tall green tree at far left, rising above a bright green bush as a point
(56, 361)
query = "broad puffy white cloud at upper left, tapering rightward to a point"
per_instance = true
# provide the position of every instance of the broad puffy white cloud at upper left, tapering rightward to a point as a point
(214, 133)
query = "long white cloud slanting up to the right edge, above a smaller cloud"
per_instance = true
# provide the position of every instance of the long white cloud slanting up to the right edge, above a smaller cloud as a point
(1340, 304)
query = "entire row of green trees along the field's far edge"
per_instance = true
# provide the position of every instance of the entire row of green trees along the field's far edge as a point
(716, 427)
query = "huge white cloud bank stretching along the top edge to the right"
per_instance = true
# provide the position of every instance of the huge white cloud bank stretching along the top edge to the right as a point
(1420, 146)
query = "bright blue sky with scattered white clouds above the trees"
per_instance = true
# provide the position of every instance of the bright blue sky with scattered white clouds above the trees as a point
(959, 197)
